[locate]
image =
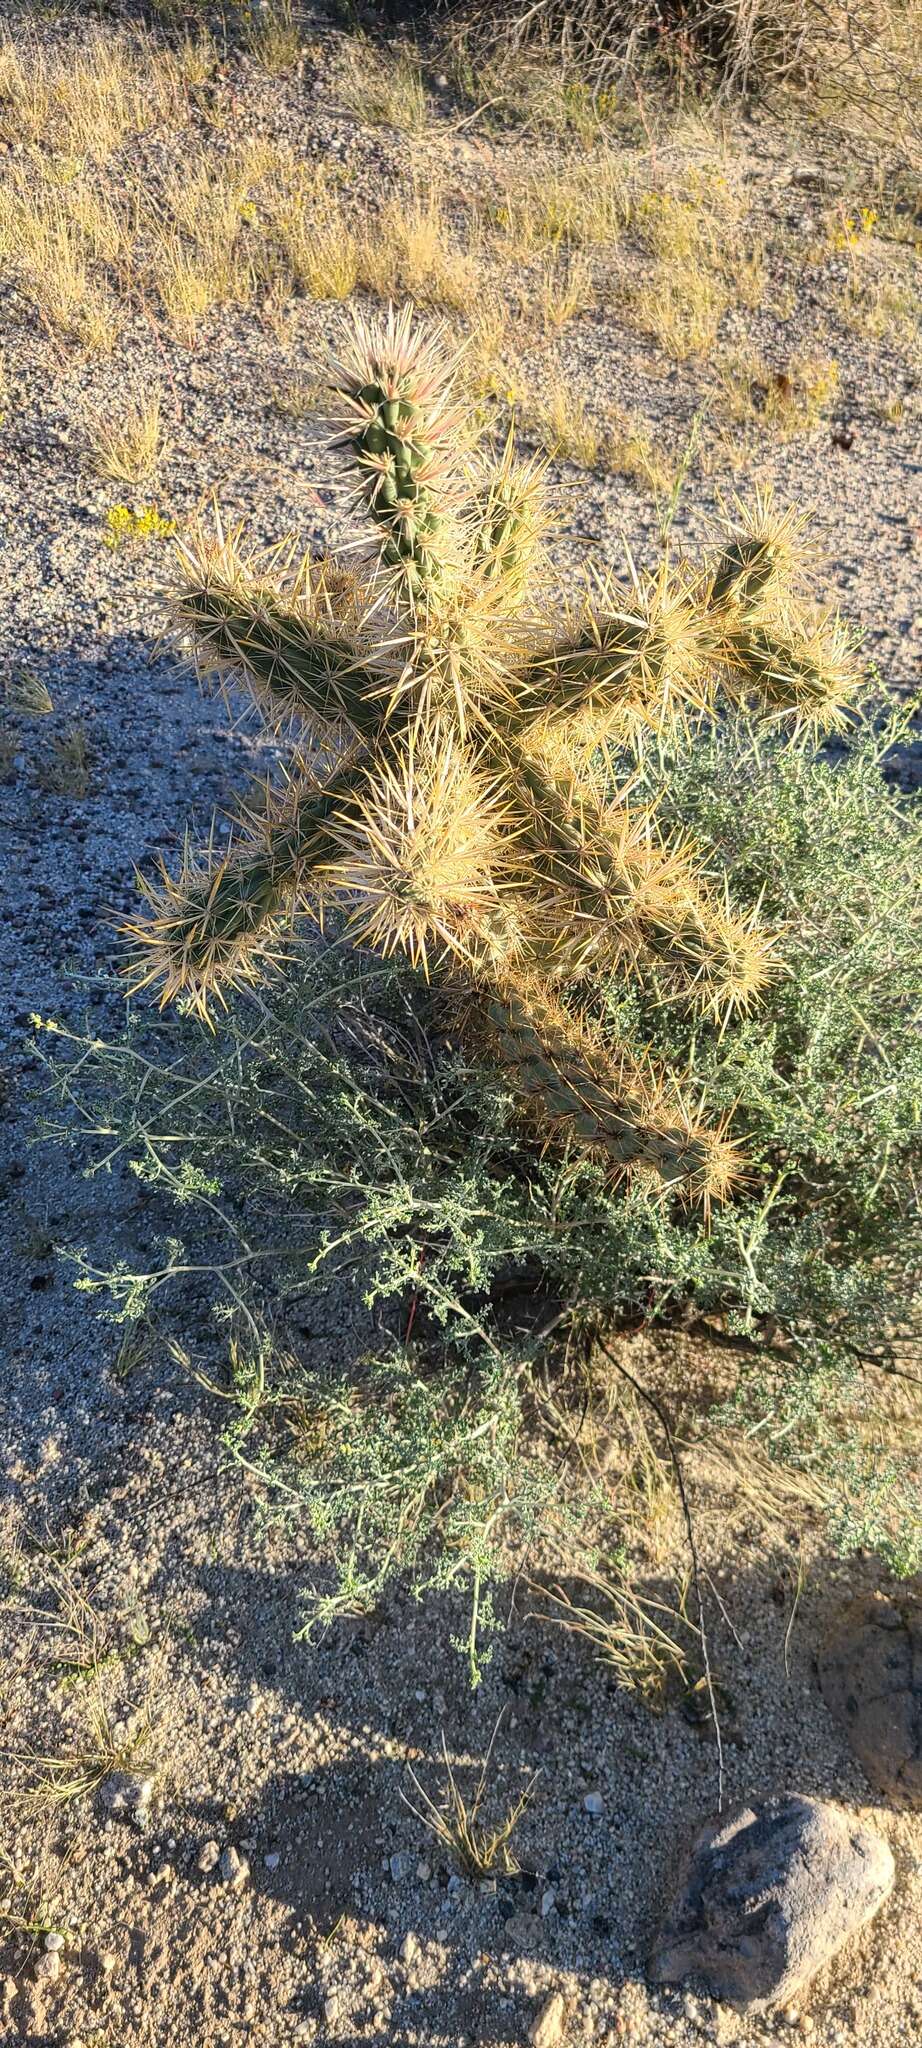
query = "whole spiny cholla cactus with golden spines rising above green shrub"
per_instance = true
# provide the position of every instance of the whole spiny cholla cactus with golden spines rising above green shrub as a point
(448, 794)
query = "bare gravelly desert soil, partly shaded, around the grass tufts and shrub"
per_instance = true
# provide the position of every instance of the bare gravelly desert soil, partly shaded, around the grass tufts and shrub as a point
(349, 1926)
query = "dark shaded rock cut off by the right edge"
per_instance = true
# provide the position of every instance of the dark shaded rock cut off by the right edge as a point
(872, 1682)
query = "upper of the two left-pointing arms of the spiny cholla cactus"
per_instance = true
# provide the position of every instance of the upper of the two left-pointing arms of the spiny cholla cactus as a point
(286, 656)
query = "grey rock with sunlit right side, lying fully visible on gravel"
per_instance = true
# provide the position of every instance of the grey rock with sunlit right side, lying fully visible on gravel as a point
(767, 1895)
